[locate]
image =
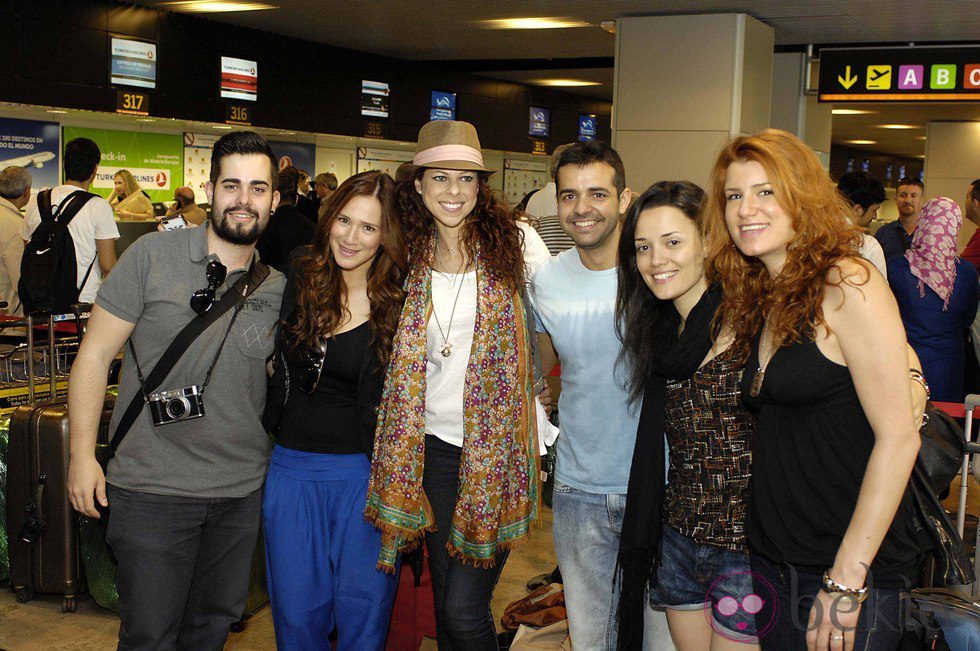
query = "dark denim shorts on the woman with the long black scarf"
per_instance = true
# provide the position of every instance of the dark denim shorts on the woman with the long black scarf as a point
(693, 576)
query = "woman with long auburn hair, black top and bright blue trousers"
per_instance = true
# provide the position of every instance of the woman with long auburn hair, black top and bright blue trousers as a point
(338, 318)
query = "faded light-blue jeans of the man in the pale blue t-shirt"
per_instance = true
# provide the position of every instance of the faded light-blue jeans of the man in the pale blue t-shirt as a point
(586, 528)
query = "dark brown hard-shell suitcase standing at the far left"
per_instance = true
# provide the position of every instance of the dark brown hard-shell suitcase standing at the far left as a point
(43, 529)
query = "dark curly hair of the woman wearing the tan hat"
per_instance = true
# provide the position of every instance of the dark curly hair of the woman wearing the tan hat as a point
(489, 229)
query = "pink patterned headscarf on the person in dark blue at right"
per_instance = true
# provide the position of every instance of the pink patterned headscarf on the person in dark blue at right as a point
(932, 256)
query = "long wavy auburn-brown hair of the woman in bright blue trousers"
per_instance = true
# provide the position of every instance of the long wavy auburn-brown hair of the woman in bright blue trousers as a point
(321, 296)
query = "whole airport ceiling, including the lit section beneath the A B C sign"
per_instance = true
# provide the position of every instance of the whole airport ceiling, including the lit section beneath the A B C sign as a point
(456, 34)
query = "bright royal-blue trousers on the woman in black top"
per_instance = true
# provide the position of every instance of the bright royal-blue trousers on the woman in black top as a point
(321, 554)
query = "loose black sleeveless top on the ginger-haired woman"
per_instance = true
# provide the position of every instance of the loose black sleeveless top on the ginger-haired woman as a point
(811, 448)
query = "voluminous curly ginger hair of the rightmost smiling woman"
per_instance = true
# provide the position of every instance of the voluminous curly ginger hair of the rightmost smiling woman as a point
(823, 239)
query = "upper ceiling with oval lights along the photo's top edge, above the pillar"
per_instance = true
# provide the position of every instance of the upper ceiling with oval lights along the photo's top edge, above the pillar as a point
(439, 30)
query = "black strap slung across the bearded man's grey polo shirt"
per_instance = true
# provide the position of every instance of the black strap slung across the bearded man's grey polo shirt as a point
(234, 297)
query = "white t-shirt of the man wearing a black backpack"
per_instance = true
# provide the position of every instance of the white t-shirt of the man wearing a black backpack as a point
(95, 221)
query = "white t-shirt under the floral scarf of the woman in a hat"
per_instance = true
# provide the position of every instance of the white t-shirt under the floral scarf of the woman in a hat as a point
(445, 377)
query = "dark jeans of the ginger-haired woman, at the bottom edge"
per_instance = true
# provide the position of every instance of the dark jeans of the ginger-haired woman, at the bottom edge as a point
(792, 592)
